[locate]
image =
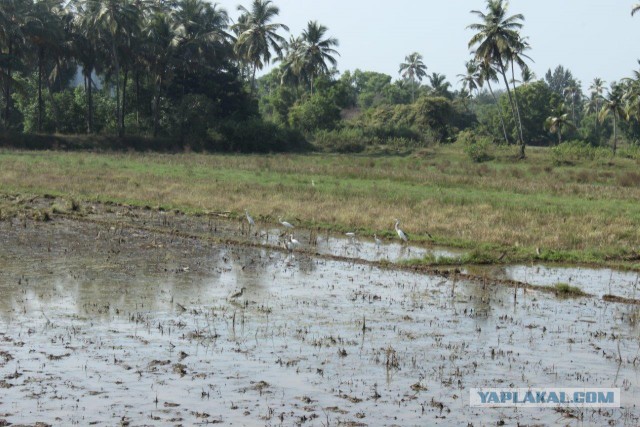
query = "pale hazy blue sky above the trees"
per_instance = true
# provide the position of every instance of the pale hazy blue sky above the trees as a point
(591, 38)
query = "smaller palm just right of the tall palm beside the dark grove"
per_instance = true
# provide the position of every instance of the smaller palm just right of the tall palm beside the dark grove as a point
(317, 50)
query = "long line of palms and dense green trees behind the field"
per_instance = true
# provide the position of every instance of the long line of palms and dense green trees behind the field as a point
(185, 70)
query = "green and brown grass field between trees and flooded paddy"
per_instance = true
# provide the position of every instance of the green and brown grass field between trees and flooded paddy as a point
(503, 209)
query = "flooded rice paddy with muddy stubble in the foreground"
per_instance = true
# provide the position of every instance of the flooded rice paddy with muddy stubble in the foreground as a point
(102, 324)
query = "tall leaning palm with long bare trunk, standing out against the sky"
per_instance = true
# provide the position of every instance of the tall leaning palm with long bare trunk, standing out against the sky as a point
(496, 42)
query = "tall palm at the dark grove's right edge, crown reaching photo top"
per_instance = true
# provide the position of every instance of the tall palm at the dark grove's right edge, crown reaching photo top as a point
(257, 35)
